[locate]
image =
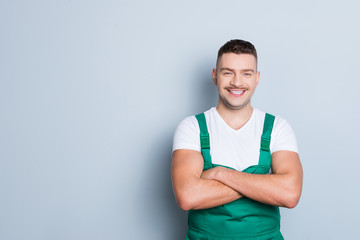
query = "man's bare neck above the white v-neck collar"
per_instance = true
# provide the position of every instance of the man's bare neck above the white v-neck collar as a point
(235, 118)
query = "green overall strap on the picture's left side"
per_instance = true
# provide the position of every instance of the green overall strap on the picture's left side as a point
(204, 141)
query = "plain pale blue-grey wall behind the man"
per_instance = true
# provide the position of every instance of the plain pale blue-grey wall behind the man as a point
(92, 91)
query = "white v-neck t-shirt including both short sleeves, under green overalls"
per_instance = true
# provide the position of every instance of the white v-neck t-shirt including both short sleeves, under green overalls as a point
(237, 149)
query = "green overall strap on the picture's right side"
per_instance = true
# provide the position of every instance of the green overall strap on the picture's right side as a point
(265, 155)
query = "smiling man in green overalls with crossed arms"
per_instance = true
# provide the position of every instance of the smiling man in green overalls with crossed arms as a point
(234, 165)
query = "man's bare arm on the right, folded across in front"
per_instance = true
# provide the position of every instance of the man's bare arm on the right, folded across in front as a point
(281, 188)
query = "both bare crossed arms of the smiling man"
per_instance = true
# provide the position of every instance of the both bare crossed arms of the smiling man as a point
(195, 189)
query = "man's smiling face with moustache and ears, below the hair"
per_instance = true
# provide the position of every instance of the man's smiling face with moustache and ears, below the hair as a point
(236, 78)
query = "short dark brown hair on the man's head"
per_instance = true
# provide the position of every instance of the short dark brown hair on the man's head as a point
(237, 46)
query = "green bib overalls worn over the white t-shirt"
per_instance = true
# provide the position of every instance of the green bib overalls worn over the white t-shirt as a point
(243, 218)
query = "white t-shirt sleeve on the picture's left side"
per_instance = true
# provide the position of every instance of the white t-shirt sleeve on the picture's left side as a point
(187, 135)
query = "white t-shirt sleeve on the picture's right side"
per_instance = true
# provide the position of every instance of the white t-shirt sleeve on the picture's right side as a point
(283, 137)
